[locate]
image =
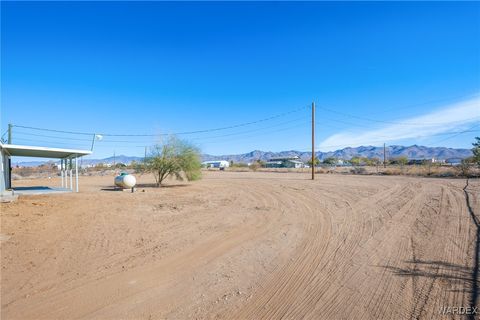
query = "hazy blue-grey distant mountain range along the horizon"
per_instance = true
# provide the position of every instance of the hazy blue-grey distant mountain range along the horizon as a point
(411, 152)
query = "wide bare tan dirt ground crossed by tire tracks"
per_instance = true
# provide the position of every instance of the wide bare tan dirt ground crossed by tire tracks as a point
(239, 245)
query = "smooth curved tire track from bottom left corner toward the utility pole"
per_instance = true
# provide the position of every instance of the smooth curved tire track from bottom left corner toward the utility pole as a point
(153, 279)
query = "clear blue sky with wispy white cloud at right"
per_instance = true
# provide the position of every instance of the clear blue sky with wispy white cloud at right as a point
(403, 73)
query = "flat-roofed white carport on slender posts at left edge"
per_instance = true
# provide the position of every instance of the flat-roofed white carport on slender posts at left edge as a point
(68, 165)
